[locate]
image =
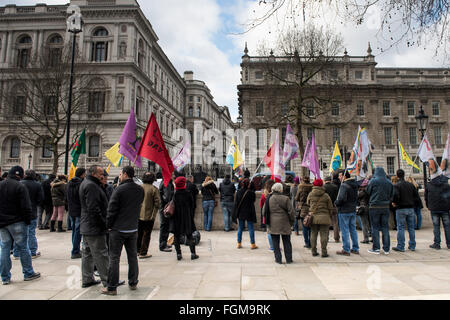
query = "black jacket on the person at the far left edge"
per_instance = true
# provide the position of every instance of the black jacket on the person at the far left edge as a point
(15, 205)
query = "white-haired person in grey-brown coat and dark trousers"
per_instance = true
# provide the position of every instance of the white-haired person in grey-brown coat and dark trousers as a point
(279, 215)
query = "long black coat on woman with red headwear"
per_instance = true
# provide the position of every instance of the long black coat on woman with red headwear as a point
(182, 221)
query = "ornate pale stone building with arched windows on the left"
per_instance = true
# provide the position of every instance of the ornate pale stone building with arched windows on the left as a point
(119, 51)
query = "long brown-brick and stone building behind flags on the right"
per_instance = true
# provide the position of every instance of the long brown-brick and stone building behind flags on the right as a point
(383, 100)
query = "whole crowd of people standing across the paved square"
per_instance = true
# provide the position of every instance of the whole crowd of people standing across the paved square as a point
(105, 217)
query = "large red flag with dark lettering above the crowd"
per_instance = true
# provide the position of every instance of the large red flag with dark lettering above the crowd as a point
(153, 148)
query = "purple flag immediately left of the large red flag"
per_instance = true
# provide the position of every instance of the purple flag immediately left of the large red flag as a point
(129, 143)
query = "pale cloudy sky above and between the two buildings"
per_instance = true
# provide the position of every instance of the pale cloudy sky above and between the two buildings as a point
(206, 37)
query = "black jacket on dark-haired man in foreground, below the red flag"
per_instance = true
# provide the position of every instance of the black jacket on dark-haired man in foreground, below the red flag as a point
(125, 207)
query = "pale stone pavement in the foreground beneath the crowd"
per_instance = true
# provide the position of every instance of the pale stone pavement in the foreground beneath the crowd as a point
(224, 272)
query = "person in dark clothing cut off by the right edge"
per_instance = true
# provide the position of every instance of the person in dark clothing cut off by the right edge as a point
(437, 199)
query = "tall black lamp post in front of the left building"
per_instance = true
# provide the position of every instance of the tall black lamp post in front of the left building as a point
(74, 26)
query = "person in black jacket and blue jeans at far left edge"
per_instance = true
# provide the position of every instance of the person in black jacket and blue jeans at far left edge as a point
(15, 217)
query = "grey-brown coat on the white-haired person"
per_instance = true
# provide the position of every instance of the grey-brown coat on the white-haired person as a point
(282, 214)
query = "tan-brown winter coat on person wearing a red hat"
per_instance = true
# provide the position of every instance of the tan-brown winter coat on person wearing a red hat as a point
(320, 206)
